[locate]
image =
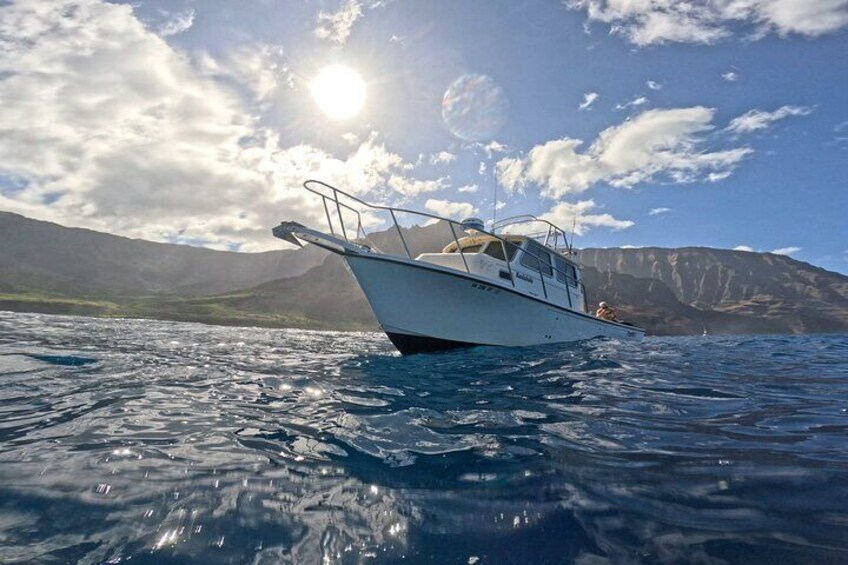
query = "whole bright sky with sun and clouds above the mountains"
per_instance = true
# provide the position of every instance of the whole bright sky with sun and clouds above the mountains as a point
(719, 123)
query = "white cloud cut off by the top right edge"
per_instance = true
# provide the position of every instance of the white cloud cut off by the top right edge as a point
(652, 22)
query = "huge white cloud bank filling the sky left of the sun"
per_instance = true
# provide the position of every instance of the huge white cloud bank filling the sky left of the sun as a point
(110, 128)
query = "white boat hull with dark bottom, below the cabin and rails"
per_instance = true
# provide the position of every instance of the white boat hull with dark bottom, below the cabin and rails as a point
(423, 308)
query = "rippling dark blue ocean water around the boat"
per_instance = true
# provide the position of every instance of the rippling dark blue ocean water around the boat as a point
(131, 441)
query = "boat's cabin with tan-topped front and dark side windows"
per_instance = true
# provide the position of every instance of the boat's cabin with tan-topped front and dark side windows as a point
(517, 261)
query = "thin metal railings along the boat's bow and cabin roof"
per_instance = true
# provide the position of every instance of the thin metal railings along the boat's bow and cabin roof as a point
(451, 223)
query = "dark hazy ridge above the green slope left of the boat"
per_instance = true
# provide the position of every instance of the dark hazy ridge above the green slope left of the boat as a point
(38, 256)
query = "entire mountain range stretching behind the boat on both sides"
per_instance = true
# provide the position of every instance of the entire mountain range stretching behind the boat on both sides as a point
(47, 268)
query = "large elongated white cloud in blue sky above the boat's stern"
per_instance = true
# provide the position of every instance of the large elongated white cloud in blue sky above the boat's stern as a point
(656, 144)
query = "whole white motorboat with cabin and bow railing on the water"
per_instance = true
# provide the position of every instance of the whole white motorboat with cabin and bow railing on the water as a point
(505, 286)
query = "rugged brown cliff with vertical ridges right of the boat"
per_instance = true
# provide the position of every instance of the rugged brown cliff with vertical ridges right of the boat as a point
(744, 291)
